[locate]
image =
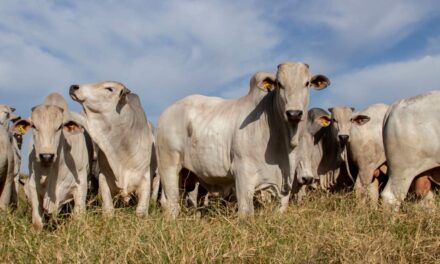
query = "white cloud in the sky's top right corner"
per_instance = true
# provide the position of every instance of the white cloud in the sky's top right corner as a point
(350, 29)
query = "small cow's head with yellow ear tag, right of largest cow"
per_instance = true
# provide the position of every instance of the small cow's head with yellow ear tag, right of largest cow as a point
(341, 120)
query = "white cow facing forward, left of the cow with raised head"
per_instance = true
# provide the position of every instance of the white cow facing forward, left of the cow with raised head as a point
(59, 159)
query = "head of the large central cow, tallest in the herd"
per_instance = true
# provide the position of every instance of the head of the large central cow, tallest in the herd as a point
(293, 81)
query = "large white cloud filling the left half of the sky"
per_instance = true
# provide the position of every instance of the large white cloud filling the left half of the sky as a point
(162, 51)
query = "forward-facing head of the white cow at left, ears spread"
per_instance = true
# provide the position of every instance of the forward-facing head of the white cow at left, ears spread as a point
(48, 124)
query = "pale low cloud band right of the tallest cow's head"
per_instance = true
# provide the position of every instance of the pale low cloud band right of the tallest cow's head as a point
(384, 83)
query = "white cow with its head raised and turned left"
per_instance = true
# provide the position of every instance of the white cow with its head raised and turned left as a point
(118, 125)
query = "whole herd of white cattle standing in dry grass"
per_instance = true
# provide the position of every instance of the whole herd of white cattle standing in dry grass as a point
(264, 141)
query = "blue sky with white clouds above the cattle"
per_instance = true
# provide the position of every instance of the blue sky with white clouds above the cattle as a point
(375, 51)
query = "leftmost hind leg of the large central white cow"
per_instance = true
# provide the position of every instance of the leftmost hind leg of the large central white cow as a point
(169, 168)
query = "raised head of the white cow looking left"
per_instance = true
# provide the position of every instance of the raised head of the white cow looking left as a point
(99, 97)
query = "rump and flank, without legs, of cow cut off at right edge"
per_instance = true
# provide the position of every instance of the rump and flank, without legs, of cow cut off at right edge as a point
(412, 128)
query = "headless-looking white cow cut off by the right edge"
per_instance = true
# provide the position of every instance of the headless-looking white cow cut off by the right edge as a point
(411, 137)
